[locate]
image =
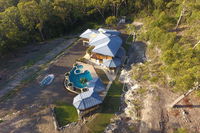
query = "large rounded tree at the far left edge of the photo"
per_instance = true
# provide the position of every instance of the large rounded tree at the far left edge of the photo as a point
(11, 30)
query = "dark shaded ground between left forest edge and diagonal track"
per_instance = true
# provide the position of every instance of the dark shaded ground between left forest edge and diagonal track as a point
(12, 63)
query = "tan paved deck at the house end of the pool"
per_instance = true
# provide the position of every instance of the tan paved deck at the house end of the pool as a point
(89, 68)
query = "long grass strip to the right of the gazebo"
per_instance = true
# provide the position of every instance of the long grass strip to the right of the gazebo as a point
(109, 107)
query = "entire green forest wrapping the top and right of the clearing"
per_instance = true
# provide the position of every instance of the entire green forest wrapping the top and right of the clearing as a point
(25, 21)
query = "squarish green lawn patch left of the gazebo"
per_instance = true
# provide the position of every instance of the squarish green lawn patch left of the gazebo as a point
(65, 114)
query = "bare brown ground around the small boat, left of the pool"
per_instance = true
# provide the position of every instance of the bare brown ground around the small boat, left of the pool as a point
(29, 111)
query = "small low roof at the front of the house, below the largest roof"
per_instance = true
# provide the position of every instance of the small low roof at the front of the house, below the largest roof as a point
(115, 62)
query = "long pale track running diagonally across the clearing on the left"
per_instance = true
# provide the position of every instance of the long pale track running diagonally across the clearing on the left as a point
(25, 73)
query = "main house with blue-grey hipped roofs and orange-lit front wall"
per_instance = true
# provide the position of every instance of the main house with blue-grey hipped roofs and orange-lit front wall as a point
(108, 50)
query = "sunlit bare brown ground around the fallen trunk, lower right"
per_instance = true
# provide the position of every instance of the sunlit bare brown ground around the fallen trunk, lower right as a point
(158, 116)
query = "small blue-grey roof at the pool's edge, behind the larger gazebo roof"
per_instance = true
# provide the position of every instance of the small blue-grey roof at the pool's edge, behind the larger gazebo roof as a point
(96, 85)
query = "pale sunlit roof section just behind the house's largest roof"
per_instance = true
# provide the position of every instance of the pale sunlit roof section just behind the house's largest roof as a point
(99, 39)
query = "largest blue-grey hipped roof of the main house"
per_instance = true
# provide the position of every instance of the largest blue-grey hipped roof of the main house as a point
(110, 47)
